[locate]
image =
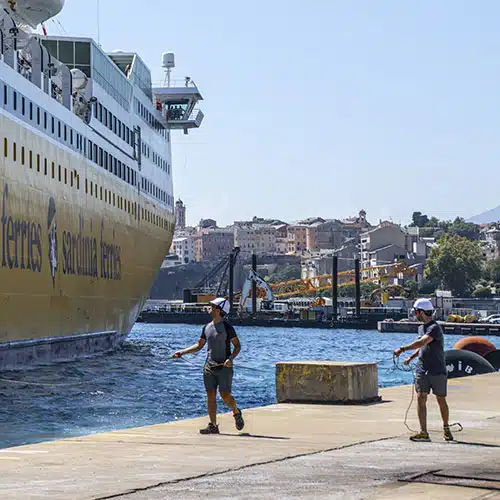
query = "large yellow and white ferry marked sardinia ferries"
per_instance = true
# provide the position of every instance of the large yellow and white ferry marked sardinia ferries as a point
(86, 201)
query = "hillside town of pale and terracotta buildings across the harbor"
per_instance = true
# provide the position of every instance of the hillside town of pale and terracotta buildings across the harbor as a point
(312, 242)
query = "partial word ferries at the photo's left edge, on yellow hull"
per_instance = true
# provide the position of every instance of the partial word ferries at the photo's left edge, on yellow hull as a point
(21, 240)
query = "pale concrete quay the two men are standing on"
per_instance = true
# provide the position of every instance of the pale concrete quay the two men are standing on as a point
(285, 451)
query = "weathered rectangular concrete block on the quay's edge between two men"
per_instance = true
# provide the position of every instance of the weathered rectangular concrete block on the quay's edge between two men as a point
(326, 382)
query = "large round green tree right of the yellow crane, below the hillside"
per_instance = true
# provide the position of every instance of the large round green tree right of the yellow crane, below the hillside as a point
(456, 262)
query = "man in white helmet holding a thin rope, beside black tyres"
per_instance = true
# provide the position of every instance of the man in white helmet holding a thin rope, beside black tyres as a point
(431, 370)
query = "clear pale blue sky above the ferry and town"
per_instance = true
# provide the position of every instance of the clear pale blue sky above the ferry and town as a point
(324, 107)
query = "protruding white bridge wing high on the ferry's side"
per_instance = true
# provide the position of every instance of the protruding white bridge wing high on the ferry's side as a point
(177, 100)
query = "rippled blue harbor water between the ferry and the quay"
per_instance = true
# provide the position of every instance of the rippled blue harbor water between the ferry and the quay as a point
(140, 384)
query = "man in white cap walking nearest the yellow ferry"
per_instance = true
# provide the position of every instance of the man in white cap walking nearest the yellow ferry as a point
(218, 369)
